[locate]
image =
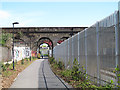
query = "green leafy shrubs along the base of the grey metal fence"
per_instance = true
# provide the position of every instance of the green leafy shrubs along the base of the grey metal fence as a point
(76, 77)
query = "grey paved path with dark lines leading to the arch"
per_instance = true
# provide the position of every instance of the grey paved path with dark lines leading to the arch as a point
(39, 75)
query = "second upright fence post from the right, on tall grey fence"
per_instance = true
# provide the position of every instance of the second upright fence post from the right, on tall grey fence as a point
(98, 60)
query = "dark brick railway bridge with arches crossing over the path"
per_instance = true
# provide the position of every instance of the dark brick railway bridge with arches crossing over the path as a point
(35, 36)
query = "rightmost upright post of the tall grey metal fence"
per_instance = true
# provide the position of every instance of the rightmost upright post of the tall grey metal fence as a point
(117, 42)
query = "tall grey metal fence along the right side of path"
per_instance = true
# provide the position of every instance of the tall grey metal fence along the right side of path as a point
(96, 49)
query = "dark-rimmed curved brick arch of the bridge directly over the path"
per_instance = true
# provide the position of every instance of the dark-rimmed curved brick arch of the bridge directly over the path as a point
(47, 41)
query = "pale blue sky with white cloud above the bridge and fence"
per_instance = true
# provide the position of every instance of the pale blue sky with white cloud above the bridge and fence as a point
(54, 14)
